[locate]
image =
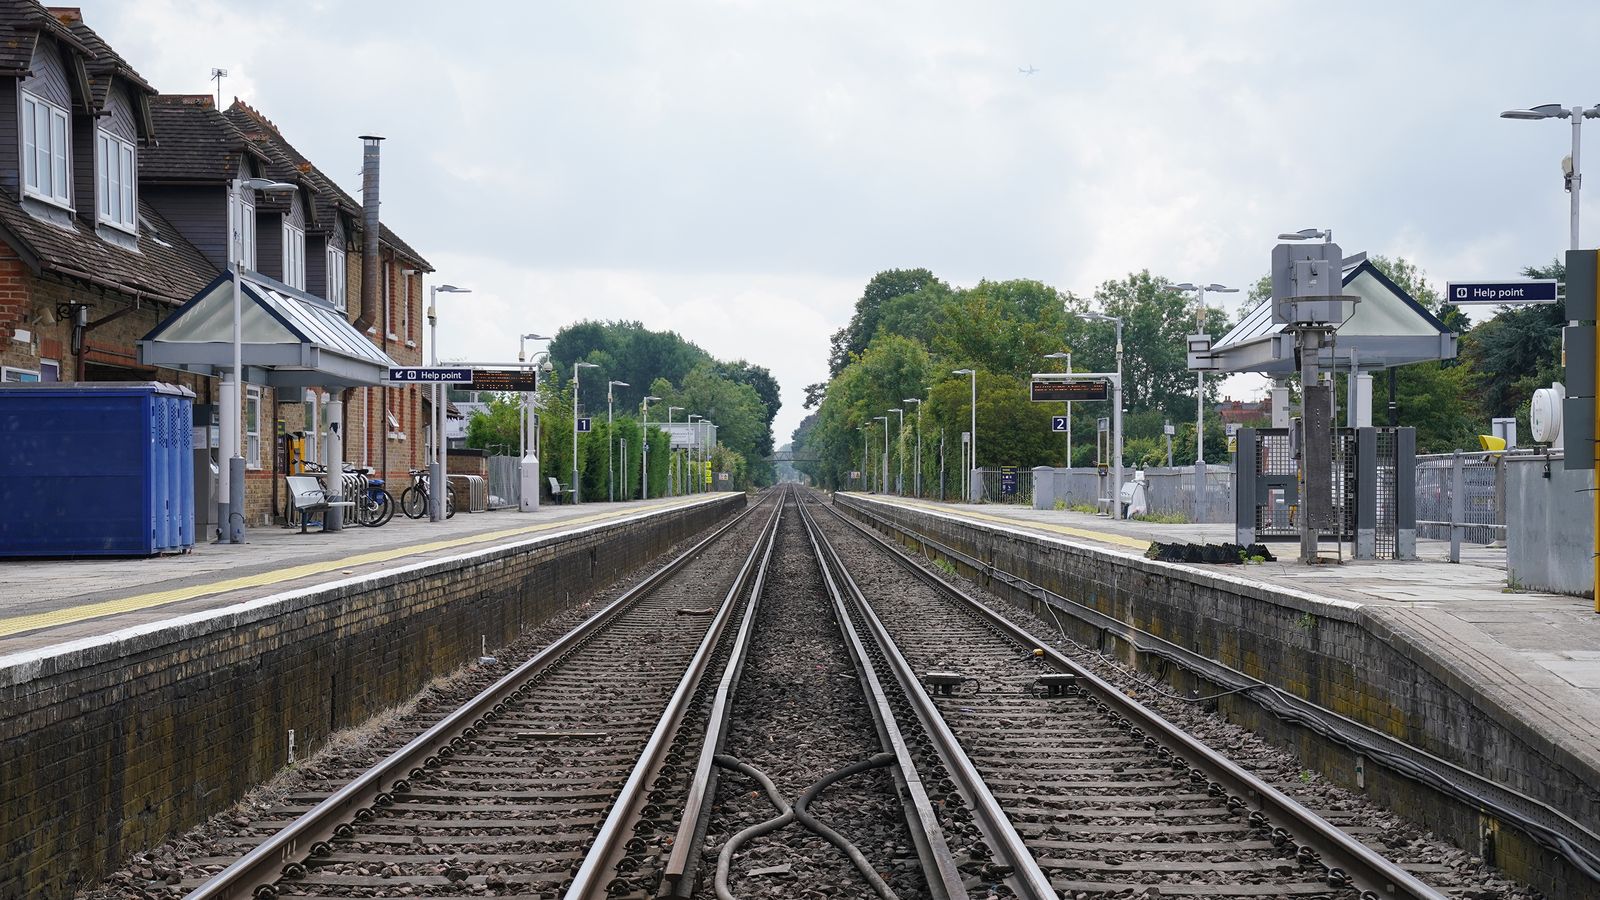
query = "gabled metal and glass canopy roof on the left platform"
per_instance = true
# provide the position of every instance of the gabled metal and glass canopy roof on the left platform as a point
(290, 337)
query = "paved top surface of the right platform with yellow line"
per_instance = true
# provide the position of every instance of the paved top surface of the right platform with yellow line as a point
(1538, 654)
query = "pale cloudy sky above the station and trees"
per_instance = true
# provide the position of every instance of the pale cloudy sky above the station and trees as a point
(737, 171)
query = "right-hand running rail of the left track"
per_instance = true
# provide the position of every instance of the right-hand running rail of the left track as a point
(598, 870)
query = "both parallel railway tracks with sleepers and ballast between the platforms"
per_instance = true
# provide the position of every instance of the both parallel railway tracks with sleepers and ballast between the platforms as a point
(796, 709)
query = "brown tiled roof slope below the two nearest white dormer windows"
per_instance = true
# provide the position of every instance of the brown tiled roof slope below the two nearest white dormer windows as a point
(167, 267)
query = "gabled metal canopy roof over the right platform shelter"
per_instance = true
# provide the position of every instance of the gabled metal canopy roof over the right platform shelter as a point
(1388, 329)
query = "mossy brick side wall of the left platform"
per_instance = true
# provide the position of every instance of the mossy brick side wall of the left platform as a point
(116, 747)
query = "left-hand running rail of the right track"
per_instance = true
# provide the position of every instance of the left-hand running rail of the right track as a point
(1026, 878)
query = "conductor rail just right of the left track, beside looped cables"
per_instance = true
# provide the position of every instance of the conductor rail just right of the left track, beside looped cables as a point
(692, 827)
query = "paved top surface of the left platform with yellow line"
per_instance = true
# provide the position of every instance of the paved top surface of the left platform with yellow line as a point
(55, 601)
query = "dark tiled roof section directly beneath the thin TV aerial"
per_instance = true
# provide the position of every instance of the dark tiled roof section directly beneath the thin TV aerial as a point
(193, 142)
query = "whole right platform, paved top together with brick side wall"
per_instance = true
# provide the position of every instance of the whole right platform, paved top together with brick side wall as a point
(1446, 657)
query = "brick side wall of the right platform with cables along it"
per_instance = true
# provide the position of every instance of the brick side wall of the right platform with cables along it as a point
(1345, 659)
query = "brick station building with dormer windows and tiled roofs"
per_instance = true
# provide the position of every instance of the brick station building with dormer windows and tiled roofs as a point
(116, 217)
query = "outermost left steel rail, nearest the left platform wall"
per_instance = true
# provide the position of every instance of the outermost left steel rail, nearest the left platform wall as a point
(257, 872)
